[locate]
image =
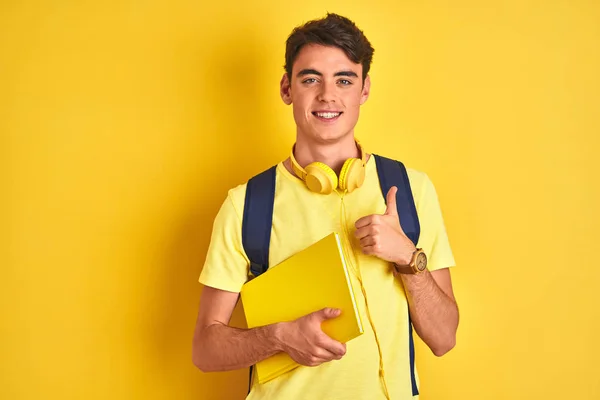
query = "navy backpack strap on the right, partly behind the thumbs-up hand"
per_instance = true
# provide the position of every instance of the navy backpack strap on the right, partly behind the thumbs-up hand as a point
(393, 173)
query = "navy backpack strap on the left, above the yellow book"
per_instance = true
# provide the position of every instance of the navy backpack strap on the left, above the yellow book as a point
(257, 220)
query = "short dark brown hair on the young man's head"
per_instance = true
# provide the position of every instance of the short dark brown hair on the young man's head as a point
(333, 30)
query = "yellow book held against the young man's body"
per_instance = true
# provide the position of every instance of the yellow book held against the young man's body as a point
(315, 278)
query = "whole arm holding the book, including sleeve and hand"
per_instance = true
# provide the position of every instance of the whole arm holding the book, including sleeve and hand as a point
(220, 347)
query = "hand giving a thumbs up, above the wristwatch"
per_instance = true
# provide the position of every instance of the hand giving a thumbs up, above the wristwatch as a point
(382, 235)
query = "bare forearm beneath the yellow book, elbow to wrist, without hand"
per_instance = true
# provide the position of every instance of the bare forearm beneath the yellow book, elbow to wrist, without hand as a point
(220, 347)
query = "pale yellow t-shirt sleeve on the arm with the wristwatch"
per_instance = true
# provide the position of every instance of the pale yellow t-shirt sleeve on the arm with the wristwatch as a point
(433, 238)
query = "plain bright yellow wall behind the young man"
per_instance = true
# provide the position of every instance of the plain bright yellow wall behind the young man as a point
(124, 123)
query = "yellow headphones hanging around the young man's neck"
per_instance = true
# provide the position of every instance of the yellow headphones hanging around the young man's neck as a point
(320, 178)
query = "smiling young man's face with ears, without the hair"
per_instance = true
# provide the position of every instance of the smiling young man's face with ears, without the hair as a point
(326, 91)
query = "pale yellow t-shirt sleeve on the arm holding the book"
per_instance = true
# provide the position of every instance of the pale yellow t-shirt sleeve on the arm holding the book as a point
(226, 265)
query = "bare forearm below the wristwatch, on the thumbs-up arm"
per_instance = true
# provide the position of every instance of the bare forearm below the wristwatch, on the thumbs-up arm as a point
(434, 314)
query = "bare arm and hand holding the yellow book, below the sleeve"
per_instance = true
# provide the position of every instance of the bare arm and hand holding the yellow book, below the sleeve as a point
(220, 347)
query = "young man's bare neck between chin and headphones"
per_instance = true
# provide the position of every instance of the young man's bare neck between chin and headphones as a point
(332, 154)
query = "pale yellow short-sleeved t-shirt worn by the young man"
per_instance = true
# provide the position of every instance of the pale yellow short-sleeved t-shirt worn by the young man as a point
(300, 218)
